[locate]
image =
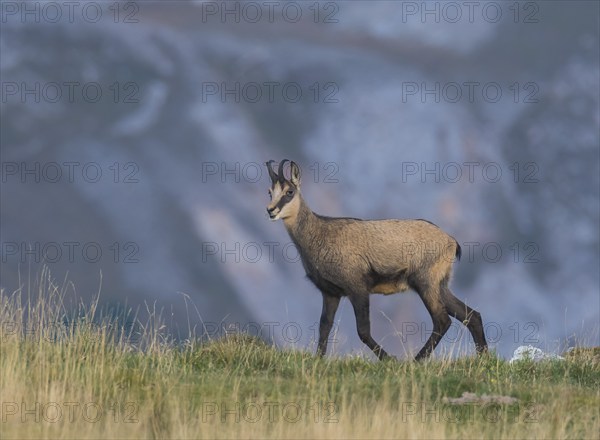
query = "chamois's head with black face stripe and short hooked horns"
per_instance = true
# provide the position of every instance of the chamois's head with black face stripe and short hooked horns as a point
(284, 193)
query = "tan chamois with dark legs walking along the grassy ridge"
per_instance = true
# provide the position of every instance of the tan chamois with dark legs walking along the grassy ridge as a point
(354, 258)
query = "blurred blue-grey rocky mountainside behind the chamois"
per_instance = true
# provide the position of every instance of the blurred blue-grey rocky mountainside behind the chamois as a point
(390, 114)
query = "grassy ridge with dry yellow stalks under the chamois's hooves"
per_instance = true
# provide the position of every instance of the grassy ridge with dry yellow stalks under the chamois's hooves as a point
(87, 381)
